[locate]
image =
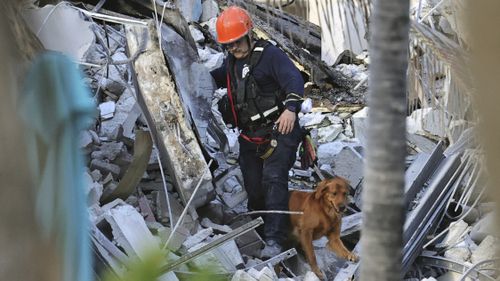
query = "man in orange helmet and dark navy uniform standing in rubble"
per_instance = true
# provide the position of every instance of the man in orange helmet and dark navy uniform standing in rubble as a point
(265, 92)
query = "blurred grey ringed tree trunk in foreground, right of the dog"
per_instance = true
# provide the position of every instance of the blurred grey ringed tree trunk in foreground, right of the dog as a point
(381, 239)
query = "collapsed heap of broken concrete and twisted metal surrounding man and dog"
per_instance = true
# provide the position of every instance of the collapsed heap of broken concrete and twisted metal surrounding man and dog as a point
(148, 148)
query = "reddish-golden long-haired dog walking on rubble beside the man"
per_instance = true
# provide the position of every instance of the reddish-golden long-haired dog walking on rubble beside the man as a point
(322, 216)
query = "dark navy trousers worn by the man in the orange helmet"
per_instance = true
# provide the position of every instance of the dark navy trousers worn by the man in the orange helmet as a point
(266, 181)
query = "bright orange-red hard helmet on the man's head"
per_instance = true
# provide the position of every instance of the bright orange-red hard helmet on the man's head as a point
(232, 24)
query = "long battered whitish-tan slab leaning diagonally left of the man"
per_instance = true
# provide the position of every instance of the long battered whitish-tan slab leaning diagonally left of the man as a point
(167, 119)
